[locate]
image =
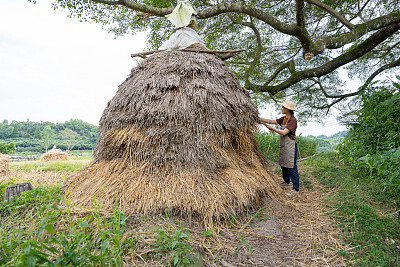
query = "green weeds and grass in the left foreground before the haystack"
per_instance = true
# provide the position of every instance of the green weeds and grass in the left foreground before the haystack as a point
(35, 231)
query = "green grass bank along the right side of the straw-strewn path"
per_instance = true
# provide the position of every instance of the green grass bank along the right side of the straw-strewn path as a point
(374, 237)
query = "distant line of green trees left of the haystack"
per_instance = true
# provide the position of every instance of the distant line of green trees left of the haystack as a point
(39, 136)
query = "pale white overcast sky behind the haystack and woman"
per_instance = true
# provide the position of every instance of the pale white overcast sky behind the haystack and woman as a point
(54, 68)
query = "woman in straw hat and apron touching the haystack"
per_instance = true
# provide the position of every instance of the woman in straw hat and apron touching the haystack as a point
(287, 145)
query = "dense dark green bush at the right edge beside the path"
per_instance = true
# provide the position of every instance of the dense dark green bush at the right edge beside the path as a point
(372, 146)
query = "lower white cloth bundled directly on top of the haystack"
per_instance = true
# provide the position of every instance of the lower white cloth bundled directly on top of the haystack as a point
(181, 39)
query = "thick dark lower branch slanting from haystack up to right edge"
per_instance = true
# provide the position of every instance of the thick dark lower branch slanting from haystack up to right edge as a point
(351, 55)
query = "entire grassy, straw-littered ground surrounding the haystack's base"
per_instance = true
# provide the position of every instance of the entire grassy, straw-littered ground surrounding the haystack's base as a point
(38, 229)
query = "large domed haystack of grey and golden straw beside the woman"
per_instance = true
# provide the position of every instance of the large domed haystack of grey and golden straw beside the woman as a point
(176, 137)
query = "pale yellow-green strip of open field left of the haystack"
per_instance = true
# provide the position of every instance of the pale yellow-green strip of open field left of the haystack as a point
(54, 166)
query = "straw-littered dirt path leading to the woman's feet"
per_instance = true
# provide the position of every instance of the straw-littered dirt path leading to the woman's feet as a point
(297, 232)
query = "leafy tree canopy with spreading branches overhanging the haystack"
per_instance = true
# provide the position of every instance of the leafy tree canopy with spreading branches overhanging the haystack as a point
(294, 48)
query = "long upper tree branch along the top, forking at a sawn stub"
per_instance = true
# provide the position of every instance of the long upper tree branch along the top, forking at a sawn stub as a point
(298, 30)
